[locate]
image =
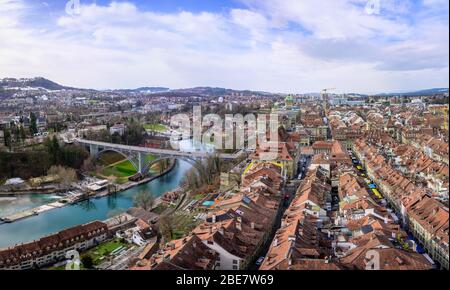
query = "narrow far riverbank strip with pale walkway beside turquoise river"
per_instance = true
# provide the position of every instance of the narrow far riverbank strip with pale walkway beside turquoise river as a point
(77, 197)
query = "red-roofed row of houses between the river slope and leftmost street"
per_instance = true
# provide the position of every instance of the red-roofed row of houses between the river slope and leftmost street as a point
(233, 234)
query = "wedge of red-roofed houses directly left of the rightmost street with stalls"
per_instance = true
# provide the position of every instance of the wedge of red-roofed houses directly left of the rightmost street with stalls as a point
(368, 235)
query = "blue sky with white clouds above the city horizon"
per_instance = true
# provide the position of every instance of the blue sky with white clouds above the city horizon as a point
(272, 45)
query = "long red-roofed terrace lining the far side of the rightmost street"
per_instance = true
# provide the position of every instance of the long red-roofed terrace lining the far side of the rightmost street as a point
(425, 216)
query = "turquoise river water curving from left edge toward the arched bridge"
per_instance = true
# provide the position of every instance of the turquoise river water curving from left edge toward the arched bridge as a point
(52, 221)
